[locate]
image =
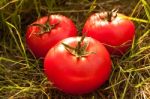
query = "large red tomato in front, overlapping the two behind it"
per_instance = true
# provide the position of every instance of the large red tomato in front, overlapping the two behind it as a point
(78, 71)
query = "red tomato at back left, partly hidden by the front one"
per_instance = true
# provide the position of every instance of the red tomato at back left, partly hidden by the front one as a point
(45, 32)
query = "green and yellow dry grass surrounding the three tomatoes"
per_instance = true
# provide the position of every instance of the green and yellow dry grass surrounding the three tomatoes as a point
(21, 74)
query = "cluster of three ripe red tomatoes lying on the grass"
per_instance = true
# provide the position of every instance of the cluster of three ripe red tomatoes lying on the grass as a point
(79, 65)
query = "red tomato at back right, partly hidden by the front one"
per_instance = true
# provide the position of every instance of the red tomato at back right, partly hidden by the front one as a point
(114, 30)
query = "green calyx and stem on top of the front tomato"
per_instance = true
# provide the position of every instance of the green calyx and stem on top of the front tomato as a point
(79, 50)
